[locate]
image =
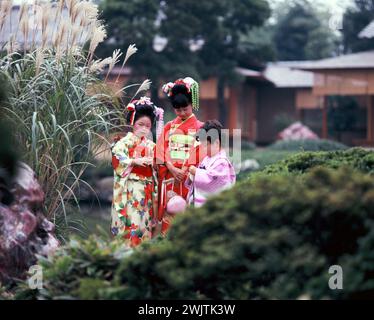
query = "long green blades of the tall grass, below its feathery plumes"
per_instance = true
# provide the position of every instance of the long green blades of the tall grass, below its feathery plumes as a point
(58, 126)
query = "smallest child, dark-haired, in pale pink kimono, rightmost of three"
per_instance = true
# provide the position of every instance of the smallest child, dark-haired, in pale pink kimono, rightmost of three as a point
(215, 172)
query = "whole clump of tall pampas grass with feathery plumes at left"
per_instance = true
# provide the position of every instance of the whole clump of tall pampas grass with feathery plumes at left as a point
(60, 108)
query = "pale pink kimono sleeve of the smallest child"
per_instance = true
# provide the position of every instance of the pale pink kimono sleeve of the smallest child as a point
(213, 178)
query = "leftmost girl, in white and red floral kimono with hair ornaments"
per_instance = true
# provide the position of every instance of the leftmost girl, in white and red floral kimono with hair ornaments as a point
(135, 181)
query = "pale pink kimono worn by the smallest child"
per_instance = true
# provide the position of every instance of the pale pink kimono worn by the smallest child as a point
(213, 175)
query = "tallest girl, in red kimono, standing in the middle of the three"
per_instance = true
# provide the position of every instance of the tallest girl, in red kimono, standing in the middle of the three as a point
(176, 148)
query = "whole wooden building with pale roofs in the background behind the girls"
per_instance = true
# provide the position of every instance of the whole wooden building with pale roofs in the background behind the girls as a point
(296, 89)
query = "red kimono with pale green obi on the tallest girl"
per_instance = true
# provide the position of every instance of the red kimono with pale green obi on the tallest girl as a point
(177, 144)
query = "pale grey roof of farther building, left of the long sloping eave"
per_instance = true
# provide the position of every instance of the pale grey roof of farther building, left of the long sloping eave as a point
(282, 75)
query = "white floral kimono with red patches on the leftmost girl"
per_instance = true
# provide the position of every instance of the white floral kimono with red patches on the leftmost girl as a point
(135, 190)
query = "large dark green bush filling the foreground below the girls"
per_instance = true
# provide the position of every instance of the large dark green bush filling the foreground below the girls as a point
(268, 237)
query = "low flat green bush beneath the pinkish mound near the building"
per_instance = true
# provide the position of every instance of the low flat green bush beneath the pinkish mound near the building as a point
(307, 145)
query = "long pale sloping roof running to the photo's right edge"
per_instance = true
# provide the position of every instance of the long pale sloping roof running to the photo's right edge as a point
(359, 60)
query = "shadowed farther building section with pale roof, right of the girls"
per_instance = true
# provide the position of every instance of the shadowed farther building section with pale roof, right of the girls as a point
(263, 96)
